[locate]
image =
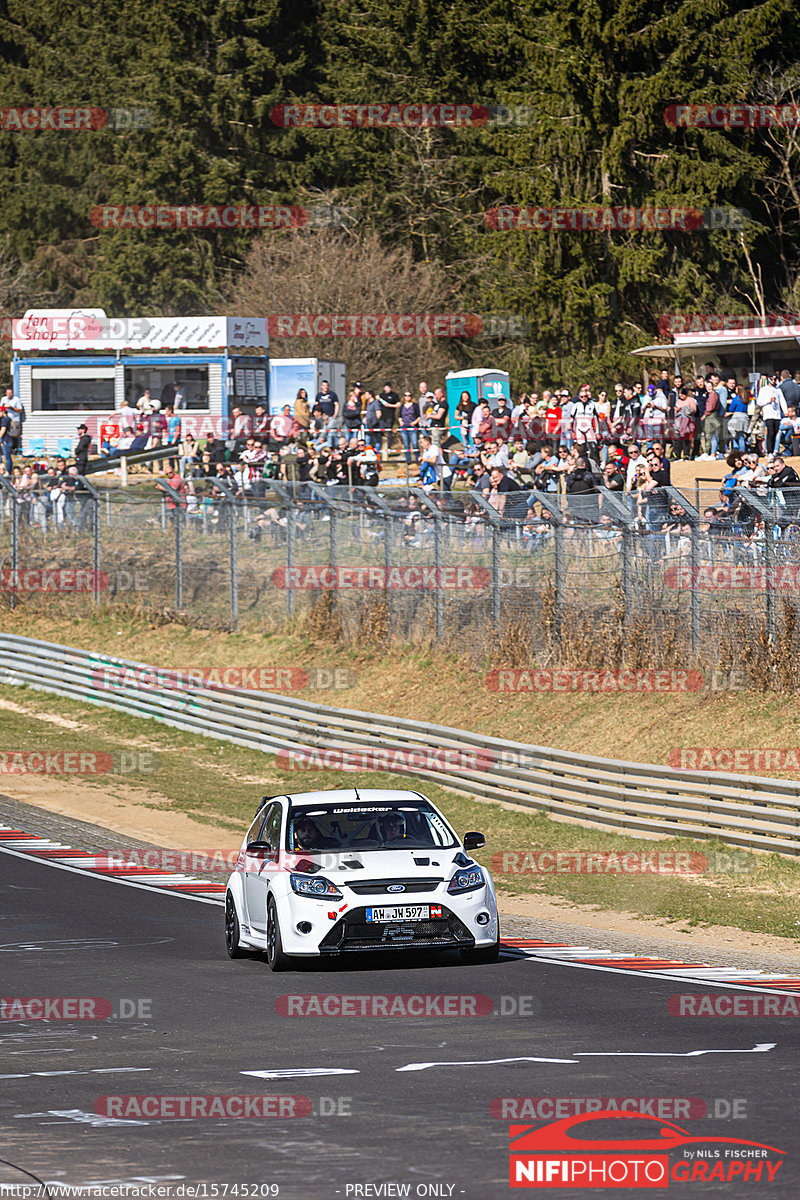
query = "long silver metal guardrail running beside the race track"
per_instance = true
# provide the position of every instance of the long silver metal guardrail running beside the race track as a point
(635, 799)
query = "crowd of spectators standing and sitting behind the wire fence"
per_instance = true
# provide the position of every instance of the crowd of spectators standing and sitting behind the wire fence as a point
(624, 440)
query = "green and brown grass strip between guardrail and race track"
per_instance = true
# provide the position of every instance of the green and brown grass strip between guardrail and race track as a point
(219, 784)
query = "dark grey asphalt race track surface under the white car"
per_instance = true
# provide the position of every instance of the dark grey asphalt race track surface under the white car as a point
(201, 1022)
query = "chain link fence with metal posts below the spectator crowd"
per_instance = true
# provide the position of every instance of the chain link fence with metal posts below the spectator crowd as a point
(581, 575)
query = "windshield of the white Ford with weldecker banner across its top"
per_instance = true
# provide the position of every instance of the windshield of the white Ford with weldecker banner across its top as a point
(374, 827)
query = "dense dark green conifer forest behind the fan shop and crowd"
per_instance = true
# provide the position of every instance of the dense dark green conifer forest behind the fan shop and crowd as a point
(200, 98)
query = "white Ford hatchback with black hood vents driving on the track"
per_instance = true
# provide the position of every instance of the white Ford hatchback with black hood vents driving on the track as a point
(327, 873)
